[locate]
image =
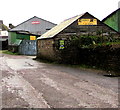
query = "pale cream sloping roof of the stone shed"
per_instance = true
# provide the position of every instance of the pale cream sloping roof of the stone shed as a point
(57, 29)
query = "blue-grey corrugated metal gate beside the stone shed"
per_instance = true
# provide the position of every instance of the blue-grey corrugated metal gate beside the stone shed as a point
(28, 47)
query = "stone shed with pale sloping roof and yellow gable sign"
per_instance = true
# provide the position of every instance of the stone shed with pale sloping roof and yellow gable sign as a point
(55, 44)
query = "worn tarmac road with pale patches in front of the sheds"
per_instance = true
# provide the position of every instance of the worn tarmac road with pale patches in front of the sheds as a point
(27, 83)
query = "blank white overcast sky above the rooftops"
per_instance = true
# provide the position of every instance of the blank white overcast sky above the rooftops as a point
(18, 11)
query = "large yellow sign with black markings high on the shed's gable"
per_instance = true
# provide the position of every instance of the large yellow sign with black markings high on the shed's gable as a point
(87, 21)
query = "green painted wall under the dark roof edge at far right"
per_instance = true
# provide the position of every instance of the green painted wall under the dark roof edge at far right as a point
(113, 21)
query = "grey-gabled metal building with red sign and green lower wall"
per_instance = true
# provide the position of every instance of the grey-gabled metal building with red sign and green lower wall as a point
(24, 35)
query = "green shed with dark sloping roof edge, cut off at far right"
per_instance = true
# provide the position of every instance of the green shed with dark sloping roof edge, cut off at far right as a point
(113, 20)
